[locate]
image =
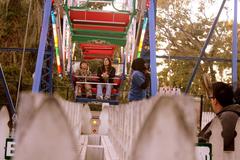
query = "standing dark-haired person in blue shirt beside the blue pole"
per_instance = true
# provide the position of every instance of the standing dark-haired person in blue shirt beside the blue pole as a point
(140, 80)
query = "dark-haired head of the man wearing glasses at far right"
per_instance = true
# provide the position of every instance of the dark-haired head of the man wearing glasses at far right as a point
(222, 96)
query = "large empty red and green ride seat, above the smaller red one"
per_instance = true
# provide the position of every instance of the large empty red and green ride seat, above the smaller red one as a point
(111, 27)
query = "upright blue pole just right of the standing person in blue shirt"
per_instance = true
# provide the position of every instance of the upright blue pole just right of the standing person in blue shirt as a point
(152, 40)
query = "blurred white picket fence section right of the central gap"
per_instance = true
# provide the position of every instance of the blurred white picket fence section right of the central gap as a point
(162, 127)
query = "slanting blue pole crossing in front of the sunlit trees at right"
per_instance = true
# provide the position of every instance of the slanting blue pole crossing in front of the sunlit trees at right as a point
(204, 47)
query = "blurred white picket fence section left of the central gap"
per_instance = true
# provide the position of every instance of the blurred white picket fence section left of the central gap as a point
(50, 128)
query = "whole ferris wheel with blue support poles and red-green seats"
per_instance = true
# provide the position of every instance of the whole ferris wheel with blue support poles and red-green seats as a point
(94, 30)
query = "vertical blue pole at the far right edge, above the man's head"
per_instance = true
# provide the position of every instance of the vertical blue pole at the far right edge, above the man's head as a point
(235, 48)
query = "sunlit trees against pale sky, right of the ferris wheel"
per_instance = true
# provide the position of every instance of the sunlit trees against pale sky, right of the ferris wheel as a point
(182, 32)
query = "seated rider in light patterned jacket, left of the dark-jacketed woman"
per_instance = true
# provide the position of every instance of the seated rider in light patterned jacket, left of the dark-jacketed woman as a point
(83, 72)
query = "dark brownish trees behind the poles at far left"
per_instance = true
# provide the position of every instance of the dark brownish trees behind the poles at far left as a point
(13, 21)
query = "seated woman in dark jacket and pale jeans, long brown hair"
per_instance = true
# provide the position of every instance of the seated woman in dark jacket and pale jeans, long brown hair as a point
(106, 72)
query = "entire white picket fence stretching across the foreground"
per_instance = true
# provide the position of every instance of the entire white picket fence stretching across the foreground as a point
(163, 127)
